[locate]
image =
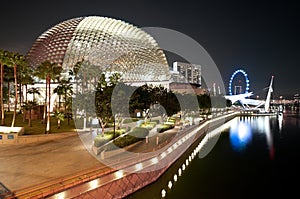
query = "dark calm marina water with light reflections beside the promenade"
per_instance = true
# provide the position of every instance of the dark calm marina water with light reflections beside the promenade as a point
(254, 157)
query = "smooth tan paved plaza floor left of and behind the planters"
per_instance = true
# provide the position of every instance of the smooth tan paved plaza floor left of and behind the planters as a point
(25, 165)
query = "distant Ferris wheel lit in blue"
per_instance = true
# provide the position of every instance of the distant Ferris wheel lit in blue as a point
(237, 85)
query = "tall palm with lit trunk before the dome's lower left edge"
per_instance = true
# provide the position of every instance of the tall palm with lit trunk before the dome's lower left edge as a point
(48, 71)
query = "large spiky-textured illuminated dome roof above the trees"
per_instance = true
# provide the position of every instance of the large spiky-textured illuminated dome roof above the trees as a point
(109, 44)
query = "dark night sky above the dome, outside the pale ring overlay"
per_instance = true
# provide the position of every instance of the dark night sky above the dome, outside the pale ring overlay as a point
(260, 37)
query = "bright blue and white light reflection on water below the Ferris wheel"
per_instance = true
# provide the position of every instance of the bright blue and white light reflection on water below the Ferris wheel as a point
(243, 129)
